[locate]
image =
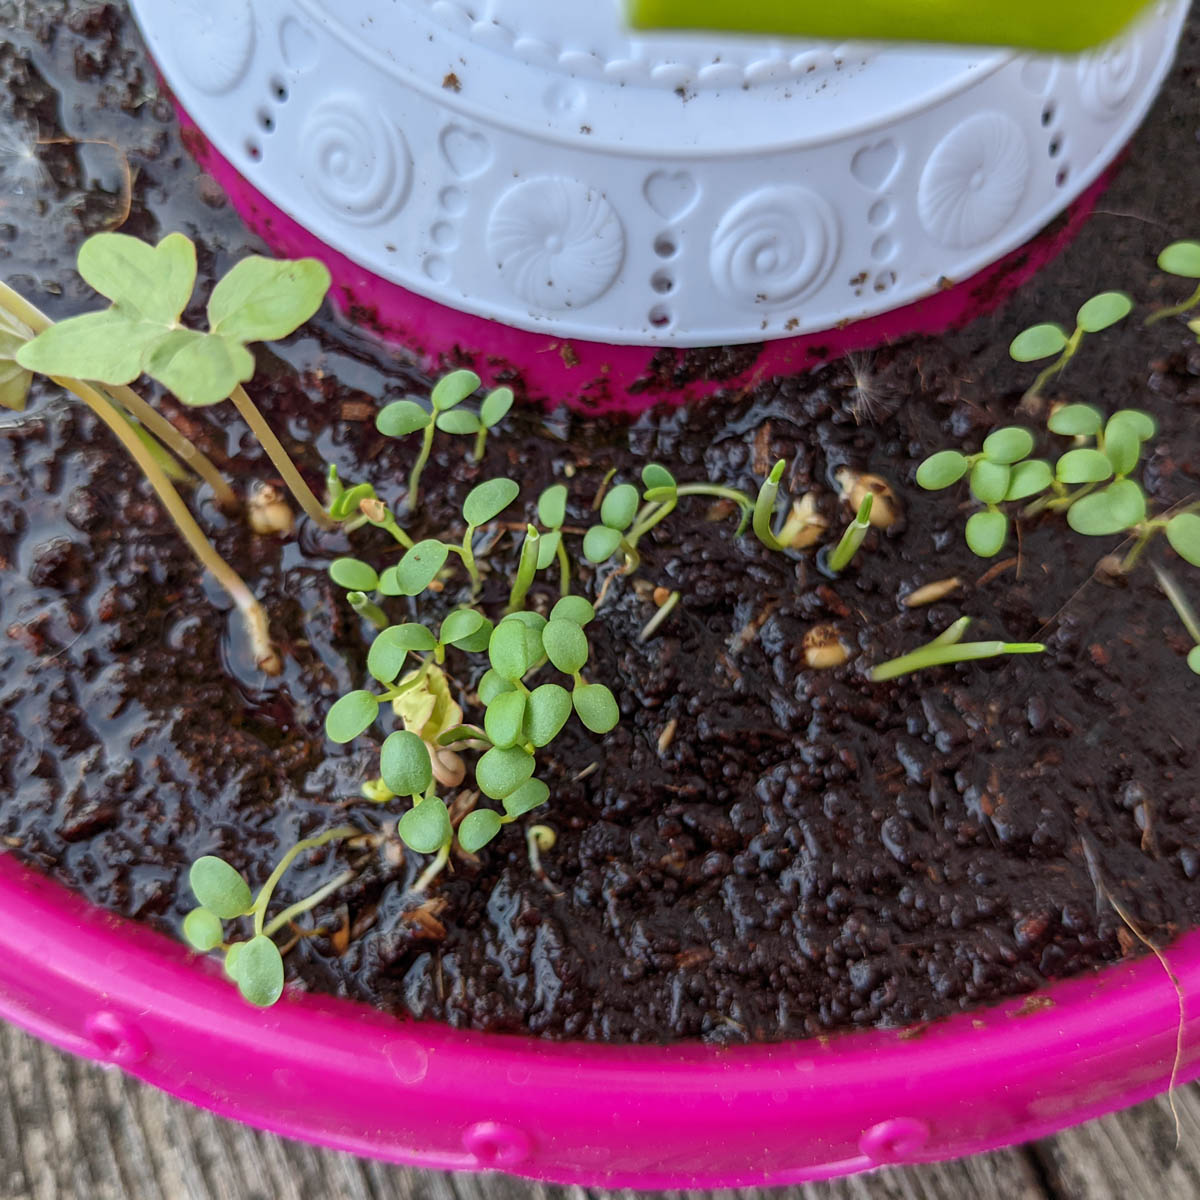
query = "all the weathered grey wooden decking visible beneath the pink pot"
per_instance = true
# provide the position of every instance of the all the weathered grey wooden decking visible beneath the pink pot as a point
(70, 1130)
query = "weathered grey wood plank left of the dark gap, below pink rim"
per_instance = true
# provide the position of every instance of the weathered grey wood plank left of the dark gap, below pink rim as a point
(71, 1130)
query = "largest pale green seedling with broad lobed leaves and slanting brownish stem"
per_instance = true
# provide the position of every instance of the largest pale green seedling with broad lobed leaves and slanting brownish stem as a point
(141, 333)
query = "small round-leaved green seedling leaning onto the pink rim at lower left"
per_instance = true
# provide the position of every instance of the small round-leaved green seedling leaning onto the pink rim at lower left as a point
(255, 965)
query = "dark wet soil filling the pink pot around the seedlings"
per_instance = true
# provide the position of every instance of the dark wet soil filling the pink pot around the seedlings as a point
(760, 850)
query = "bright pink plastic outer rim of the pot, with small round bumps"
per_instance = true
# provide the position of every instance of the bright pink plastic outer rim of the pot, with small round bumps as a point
(345, 1076)
